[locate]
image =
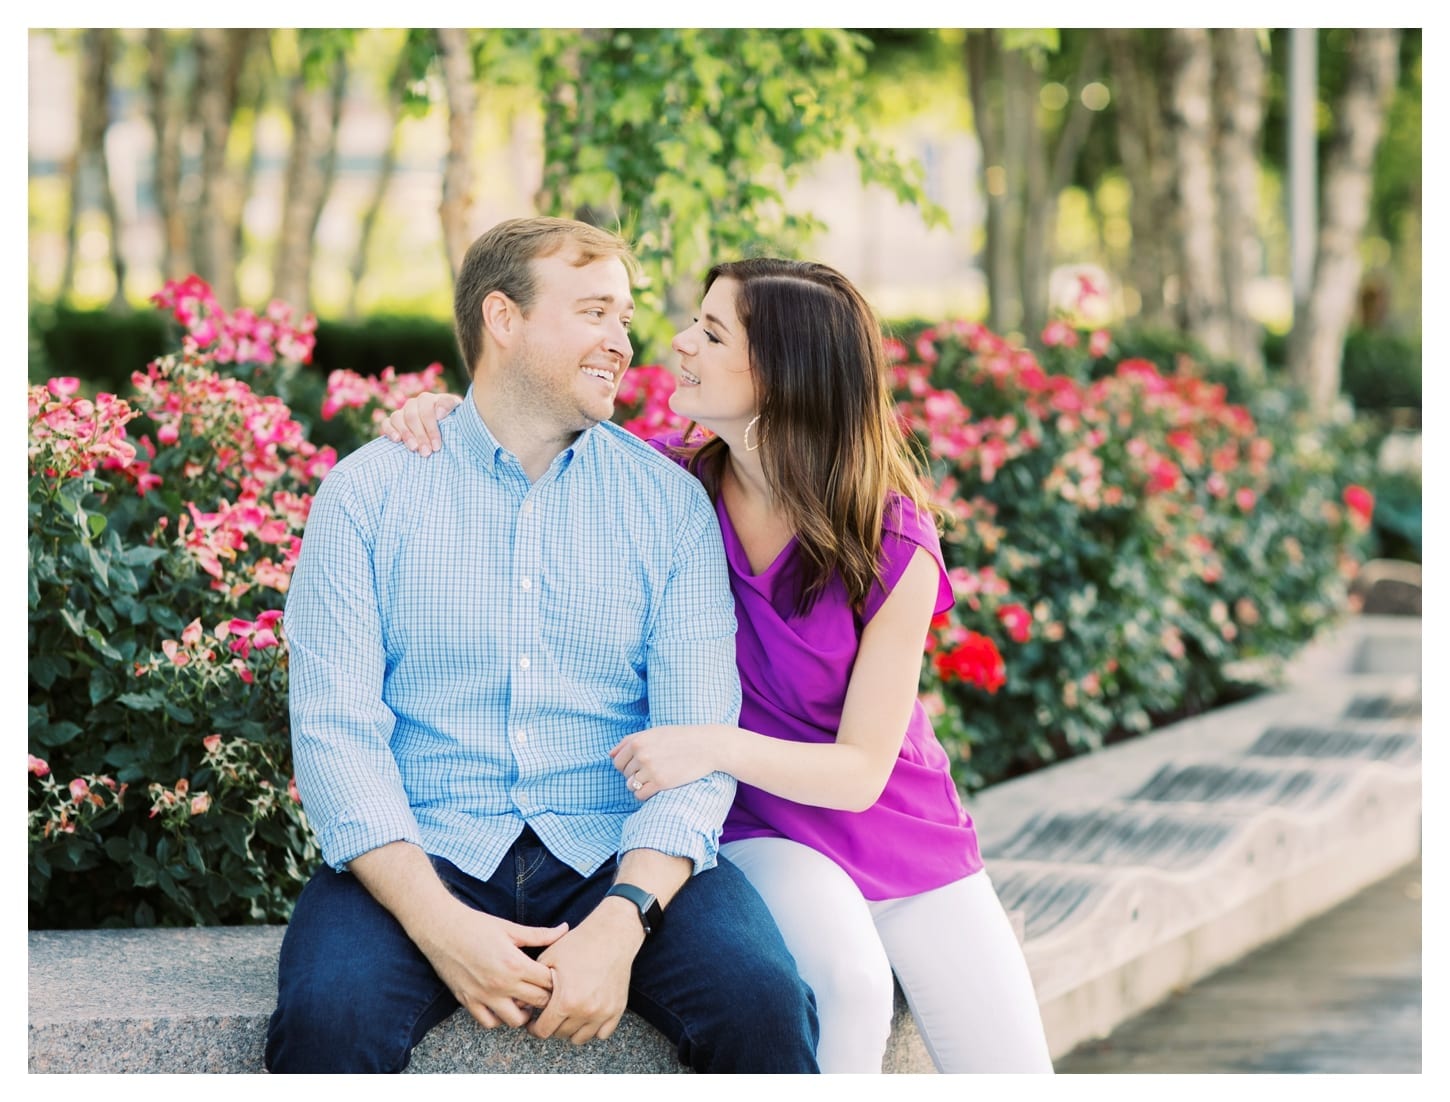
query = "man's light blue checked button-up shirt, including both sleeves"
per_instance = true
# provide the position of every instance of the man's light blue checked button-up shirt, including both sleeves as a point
(466, 649)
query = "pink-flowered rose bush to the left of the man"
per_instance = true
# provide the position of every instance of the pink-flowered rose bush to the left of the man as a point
(163, 530)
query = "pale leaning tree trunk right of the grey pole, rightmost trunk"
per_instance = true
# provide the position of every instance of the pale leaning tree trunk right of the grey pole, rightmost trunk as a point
(1317, 343)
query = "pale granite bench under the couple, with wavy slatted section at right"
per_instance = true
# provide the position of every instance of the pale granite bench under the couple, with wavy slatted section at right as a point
(1133, 871)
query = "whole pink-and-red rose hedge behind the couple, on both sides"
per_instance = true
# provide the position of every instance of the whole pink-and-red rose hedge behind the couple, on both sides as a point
(1122, 540)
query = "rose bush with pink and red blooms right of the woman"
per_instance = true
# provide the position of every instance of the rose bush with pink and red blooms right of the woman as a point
(1126, 542)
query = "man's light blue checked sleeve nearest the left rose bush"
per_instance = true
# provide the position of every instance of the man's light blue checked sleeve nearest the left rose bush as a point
(350, 784)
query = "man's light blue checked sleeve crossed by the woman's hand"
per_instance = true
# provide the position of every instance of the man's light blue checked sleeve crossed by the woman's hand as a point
(692, 679)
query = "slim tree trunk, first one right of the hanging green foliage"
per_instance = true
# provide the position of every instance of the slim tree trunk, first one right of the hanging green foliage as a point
(1001, 270)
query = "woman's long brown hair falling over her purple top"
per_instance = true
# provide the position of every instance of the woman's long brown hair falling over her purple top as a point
(830, 442)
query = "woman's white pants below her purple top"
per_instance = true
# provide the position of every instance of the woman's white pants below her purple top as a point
(953, 950)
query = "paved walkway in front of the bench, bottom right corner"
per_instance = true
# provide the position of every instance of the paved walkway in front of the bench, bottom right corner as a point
(1342, 994)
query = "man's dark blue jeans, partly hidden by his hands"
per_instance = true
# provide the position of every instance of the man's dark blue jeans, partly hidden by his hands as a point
(355, 994)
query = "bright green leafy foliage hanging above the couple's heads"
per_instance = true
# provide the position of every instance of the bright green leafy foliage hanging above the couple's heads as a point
(689, 140)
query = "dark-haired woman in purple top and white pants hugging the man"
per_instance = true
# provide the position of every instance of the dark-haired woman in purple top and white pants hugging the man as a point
(846, 819)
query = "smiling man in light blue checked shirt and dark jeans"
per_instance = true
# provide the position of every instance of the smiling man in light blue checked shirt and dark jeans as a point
(469, 639)
